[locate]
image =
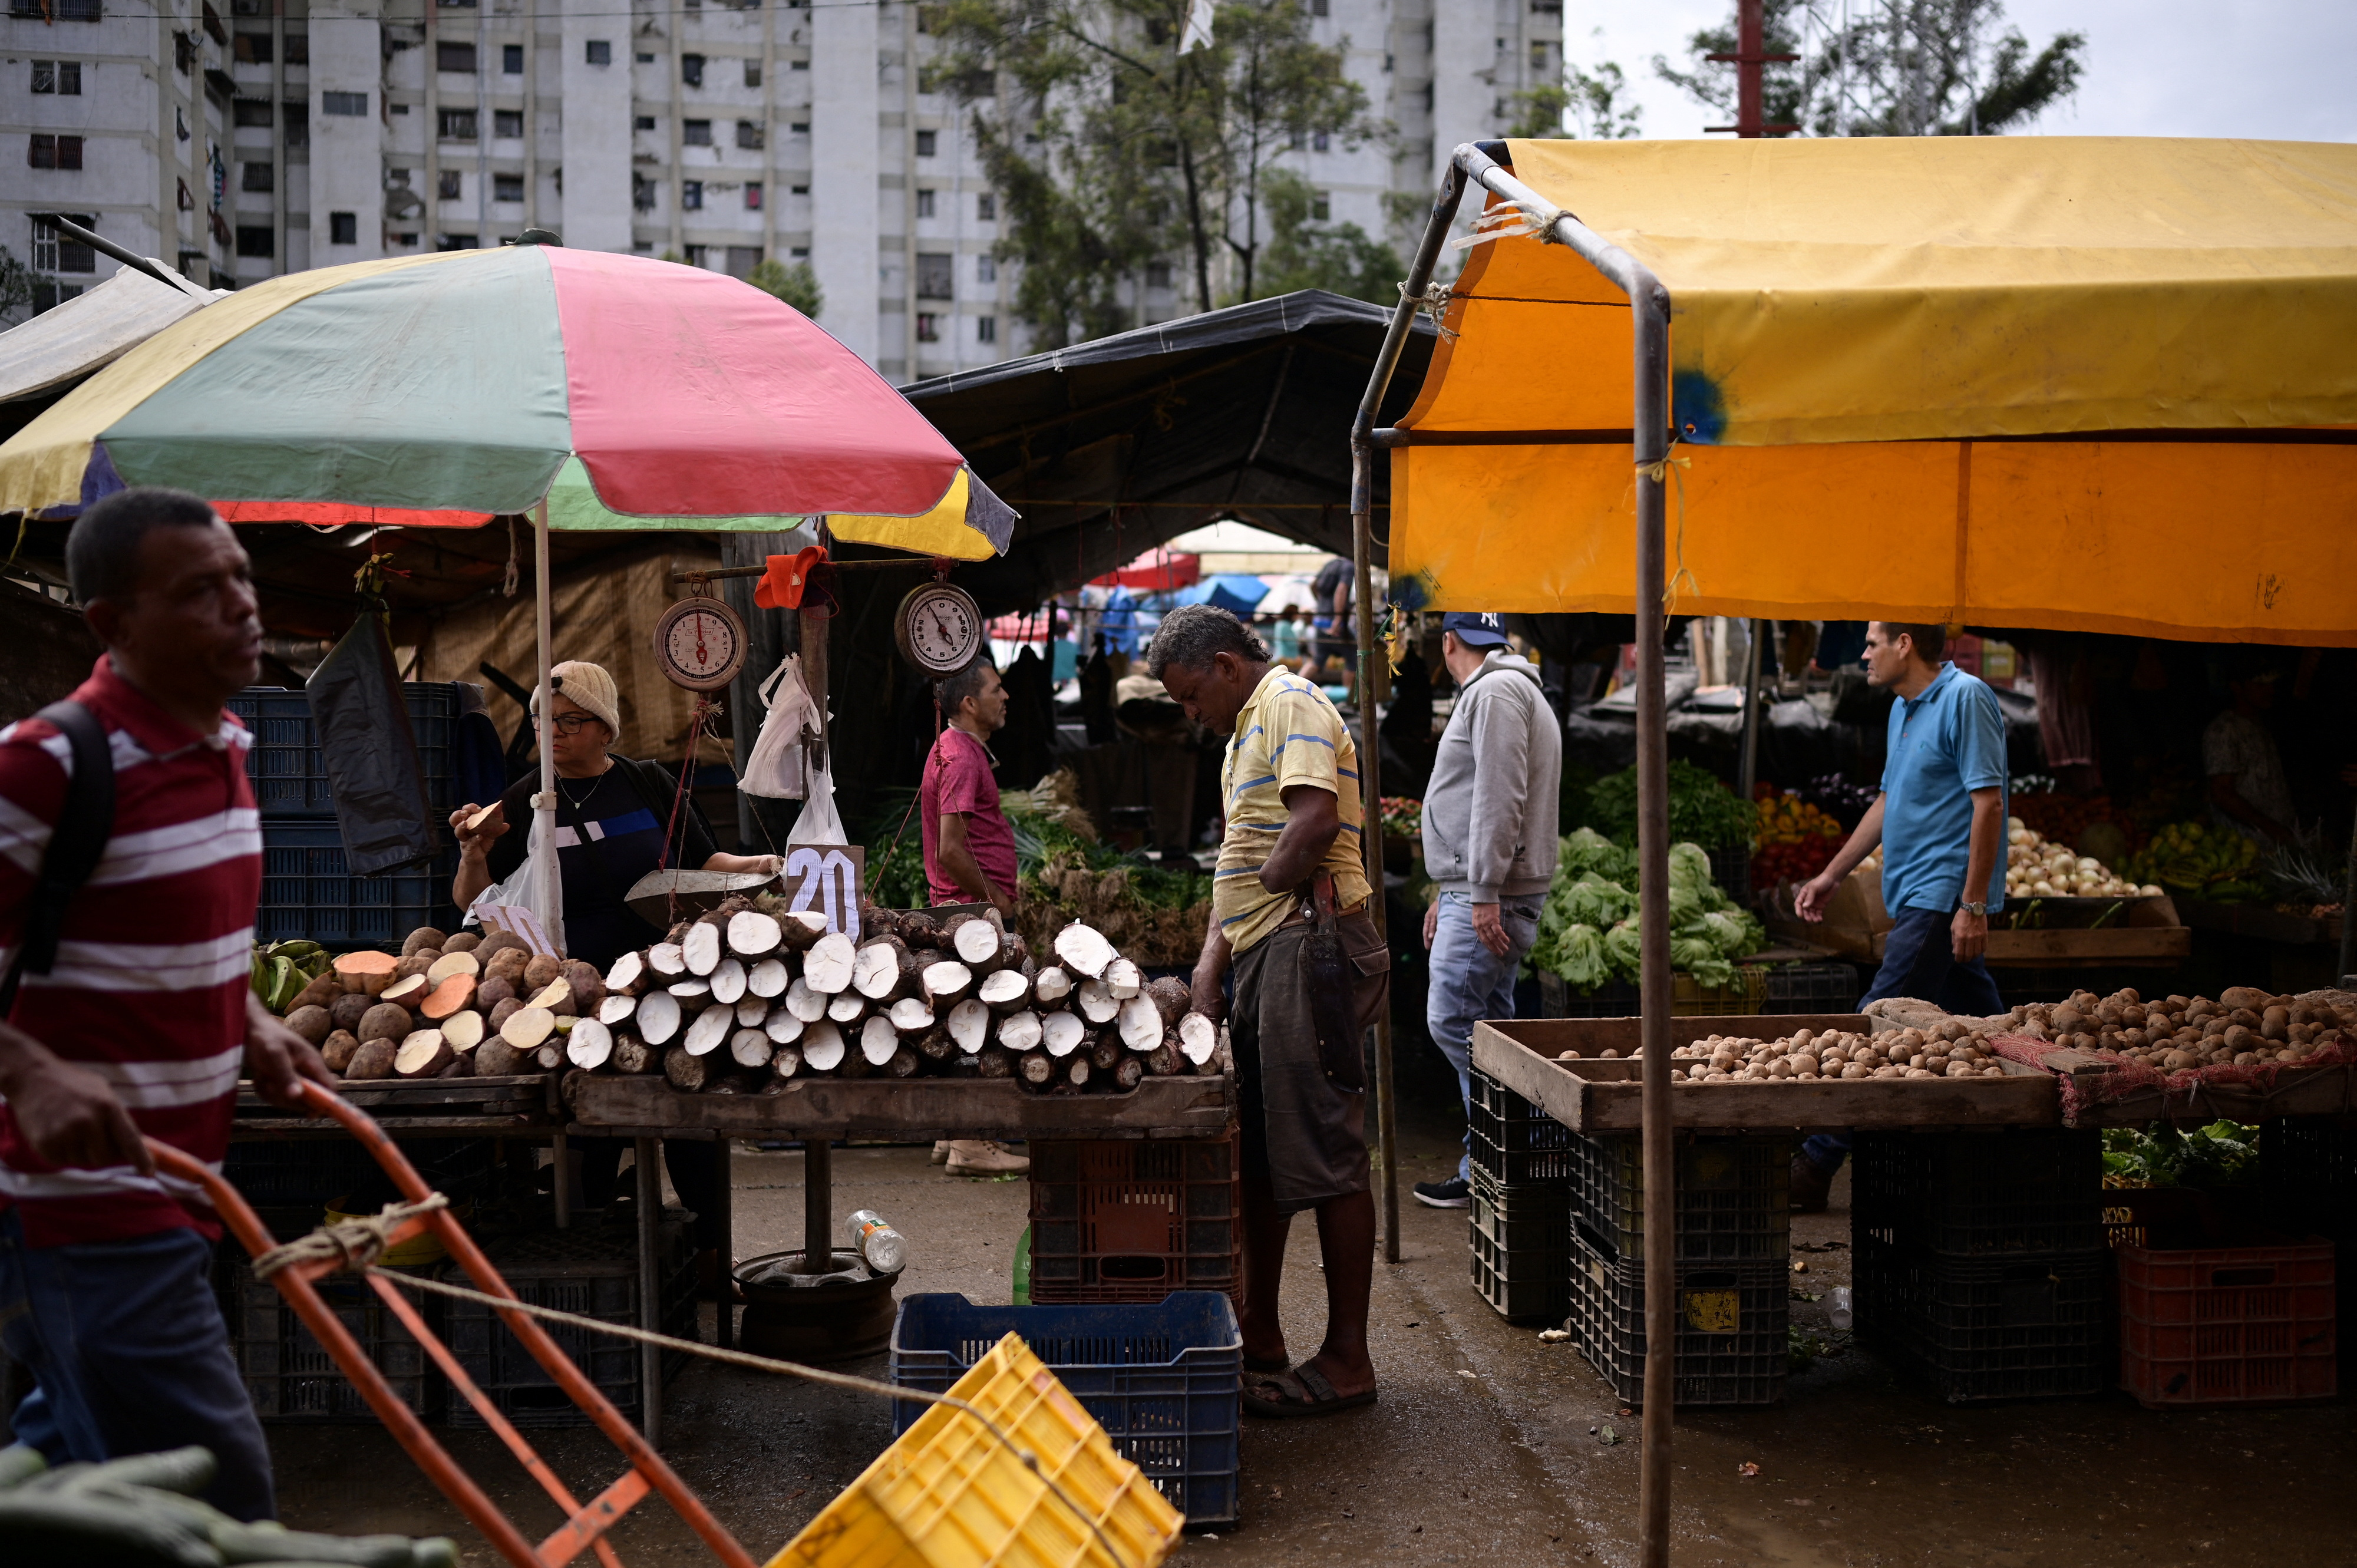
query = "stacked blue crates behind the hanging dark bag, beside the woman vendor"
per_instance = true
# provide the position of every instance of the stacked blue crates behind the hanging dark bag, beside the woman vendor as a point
(308, 888)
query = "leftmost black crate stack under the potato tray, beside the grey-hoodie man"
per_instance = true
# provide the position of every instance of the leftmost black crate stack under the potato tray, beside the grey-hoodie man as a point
(1521, 1206)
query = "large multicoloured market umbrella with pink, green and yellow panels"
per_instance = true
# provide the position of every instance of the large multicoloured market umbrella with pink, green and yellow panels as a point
(451, 388)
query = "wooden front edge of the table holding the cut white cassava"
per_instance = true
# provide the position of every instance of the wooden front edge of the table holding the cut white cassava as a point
(1189, 1107)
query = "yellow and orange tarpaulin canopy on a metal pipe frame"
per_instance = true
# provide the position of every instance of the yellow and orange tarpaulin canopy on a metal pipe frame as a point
(2016, 381)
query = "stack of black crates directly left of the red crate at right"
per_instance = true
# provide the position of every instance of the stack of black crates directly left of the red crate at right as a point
(1981, 1260)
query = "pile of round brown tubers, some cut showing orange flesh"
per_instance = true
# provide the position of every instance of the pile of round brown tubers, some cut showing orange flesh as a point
(449, 1008)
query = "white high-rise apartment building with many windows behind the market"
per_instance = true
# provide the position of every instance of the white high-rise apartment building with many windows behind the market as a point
(305, 133)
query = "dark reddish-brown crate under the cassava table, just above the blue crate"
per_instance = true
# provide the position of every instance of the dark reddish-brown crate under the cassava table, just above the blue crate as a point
(1130, 1220)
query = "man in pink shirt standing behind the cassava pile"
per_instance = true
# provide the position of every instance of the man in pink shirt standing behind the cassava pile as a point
(970, 852)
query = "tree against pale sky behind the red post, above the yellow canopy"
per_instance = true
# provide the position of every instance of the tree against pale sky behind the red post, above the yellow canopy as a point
(1901, 70)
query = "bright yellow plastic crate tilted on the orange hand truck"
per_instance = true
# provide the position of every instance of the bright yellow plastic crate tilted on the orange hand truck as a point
(951, 1496)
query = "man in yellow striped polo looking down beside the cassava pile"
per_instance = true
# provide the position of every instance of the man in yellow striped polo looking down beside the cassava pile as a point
(1290, 914)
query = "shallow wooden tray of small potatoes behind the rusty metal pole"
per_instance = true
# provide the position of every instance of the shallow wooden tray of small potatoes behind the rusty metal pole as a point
(1606, 1095)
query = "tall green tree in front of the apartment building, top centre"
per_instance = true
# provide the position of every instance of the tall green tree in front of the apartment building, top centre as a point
(1111, 147)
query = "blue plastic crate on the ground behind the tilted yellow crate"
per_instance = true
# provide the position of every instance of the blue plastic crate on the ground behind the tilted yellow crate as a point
(1161, 1381)
